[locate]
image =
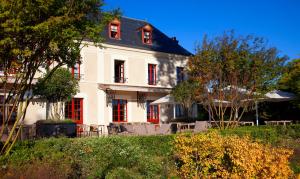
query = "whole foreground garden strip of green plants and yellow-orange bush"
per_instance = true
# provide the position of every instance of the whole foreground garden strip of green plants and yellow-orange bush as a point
(264, 151)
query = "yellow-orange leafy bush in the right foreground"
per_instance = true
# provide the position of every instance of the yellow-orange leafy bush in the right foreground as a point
(212, 156)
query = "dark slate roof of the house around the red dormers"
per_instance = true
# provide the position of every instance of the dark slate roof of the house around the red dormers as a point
(131, 36)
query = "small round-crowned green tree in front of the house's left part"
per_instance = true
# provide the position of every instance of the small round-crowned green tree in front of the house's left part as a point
(56, 89)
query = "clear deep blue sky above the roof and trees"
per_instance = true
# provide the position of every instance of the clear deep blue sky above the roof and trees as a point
(188, 20)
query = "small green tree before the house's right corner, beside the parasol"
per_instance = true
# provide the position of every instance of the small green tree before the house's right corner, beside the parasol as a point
(184, 93)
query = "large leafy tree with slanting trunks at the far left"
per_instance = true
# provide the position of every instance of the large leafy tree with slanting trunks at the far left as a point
(35, 34)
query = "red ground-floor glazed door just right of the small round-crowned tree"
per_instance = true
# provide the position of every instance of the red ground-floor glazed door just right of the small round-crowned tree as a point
(74, 110)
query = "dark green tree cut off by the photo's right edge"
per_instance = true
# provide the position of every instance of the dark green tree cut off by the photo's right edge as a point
(290, 80)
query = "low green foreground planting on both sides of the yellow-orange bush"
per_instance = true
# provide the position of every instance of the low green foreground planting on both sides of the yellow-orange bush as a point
(122, 156)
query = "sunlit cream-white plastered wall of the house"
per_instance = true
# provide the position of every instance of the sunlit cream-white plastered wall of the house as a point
(97, 71)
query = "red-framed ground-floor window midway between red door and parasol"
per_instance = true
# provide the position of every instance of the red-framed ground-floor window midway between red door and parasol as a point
(119, 112)
